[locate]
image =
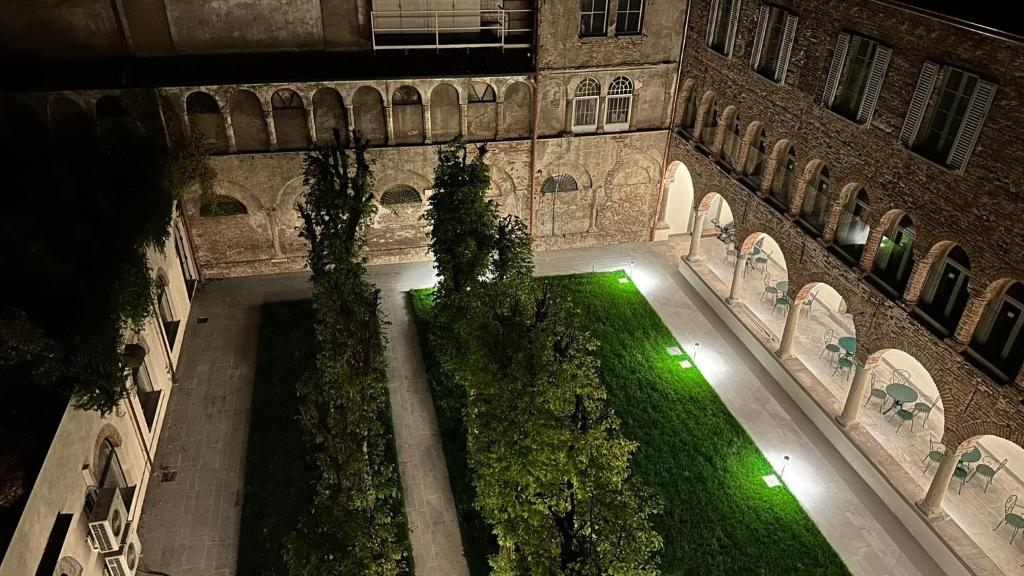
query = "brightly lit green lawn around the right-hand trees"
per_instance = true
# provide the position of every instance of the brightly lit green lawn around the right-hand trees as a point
(719, 517)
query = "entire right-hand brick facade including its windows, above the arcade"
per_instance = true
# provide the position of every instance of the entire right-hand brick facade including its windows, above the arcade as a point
(922, 185)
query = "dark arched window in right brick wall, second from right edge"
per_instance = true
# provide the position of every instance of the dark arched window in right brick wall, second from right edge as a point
(945, 296)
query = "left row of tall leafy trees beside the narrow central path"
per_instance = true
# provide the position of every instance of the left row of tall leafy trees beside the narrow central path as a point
(356, 525)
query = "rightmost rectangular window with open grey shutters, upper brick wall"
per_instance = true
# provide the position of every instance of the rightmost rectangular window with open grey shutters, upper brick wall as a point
(944, 126)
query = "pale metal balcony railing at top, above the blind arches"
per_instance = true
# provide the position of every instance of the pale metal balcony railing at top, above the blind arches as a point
(452, 29)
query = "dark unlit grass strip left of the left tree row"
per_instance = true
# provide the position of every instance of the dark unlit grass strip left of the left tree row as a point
(279, 475)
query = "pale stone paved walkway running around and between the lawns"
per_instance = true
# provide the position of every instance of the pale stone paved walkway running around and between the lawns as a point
(191, 525)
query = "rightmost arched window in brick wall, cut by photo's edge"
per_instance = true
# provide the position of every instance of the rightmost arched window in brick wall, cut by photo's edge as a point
(998, 343)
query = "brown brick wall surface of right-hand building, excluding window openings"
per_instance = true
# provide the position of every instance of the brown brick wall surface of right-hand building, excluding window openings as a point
(978, 209)
